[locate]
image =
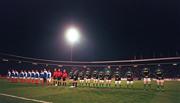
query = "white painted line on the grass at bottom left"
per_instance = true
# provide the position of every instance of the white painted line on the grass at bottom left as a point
(23, 98)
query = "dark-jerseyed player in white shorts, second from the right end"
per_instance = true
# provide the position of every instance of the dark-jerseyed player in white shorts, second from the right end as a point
(147, 79)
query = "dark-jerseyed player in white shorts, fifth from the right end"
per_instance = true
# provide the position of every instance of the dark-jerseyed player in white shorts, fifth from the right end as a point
(108, 77)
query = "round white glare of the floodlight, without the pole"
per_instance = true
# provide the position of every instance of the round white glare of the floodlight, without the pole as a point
(72, 35)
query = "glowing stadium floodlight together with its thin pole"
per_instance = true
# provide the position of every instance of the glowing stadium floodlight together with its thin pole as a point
(72, 35)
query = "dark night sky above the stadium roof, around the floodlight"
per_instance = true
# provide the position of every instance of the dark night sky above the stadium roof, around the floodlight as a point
(111, 30)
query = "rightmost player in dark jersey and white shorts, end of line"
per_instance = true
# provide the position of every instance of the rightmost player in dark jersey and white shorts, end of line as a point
(159, 79)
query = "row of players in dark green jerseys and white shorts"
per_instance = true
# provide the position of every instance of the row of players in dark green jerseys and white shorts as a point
(104, 77)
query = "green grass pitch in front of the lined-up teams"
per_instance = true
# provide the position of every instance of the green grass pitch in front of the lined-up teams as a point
(90, 95)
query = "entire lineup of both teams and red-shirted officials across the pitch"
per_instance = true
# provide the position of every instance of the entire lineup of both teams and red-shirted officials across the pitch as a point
(86, 77)
